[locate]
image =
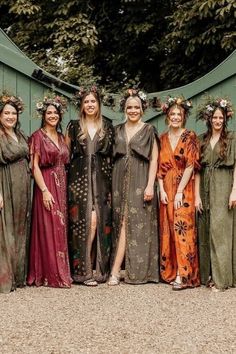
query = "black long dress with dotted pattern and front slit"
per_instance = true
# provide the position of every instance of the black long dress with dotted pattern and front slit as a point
(89, 188)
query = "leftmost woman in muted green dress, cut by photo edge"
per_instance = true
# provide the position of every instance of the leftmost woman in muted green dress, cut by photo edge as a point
(14, 195)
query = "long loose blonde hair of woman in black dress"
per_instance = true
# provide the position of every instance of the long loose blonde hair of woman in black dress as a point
(98, 117)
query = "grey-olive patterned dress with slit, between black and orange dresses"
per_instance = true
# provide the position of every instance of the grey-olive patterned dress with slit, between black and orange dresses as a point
(129, 180)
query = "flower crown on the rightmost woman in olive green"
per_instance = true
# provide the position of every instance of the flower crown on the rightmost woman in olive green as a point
(206, 110)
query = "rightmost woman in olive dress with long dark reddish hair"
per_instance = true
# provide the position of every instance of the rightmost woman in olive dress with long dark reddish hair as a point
(216, 196)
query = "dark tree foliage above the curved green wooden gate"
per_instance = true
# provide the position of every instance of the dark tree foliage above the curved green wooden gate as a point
(158, 43)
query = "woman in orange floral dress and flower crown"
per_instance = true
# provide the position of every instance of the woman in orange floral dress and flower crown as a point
(179, 156)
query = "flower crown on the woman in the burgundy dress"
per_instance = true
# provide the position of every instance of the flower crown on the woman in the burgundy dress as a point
(53, 99)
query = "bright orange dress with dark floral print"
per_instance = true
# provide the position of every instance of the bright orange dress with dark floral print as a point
(178, 241)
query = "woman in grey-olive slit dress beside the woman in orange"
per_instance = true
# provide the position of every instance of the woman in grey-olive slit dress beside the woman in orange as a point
(134, 195)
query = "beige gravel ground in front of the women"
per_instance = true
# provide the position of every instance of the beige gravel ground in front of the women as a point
(124, 319)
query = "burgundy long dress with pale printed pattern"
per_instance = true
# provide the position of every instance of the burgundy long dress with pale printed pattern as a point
(49, 263)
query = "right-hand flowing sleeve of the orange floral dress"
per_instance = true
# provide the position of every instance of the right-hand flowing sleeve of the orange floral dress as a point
(193, 152)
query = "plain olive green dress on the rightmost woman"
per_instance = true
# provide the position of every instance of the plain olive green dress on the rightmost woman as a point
(216, 229)
